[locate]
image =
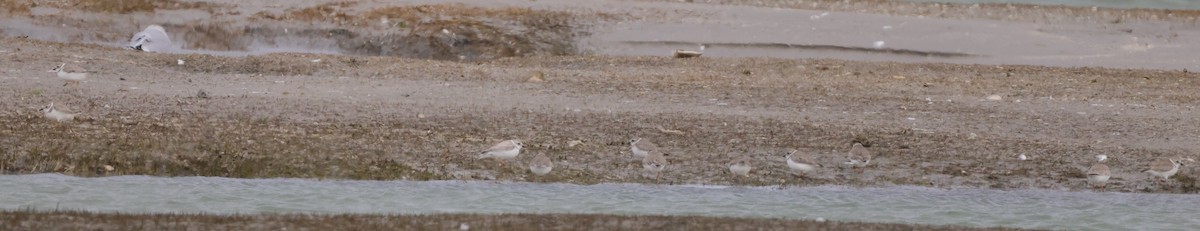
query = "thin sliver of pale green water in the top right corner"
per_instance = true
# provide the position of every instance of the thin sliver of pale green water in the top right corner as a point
(1114, 4)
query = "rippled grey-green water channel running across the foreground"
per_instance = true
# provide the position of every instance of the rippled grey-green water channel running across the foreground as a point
(915, 205)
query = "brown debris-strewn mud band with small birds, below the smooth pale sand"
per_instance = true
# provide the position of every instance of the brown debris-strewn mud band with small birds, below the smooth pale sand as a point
(427, 123)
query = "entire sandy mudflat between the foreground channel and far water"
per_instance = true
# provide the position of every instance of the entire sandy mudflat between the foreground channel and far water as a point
(436, 84)
